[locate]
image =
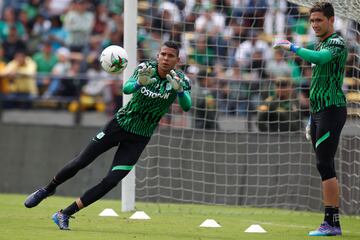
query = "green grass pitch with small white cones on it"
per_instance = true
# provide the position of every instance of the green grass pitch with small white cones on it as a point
(168, 221)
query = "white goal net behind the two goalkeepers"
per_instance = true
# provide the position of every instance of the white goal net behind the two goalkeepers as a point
(243, 142)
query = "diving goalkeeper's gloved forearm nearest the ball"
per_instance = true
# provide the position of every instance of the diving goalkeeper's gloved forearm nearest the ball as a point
(141, 76)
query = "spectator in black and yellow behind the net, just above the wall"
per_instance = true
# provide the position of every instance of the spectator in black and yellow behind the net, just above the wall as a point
(282, 111)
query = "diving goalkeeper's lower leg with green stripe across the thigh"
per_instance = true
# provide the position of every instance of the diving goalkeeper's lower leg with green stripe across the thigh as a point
(125, 158)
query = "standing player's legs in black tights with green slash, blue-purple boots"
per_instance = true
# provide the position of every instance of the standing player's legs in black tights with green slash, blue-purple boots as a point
(328, 129)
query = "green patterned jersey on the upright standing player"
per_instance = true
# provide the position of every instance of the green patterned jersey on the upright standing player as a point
(327, 78)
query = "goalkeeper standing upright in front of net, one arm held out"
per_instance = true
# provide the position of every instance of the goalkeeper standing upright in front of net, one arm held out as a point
(328, 106)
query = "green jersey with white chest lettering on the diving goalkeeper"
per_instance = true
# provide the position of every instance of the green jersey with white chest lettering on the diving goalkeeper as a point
(148, 104)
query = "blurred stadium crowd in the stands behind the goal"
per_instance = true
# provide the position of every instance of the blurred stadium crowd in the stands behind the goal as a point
(49, 51)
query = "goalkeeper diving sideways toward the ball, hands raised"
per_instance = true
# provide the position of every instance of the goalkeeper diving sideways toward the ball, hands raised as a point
(155, 85)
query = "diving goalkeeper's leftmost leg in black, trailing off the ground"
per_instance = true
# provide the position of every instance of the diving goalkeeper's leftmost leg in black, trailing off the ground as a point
(102, 142)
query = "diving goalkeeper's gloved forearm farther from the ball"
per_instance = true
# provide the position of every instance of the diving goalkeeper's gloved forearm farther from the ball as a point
(183, 90)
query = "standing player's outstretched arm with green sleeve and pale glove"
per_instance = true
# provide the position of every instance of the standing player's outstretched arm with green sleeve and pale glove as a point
(317, 57)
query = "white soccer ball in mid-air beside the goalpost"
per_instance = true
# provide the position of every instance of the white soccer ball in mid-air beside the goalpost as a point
(113, 59)
